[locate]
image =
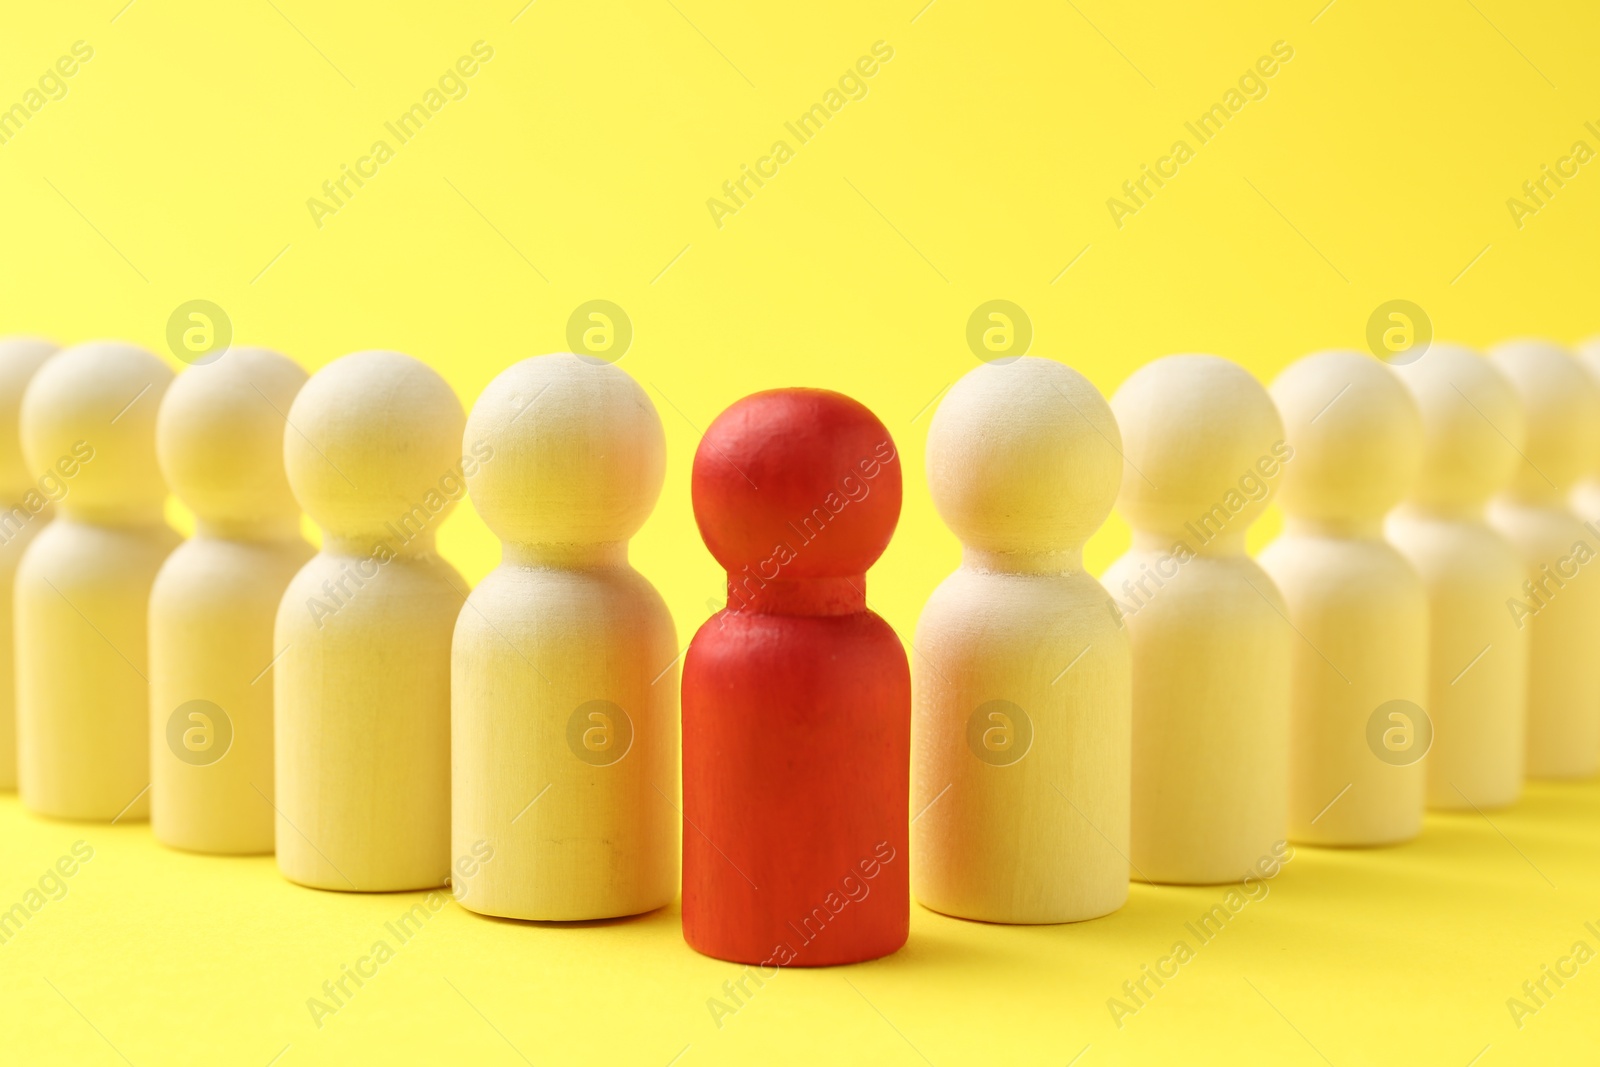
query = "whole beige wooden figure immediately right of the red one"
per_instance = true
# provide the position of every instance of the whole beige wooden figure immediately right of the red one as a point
(1022, 679)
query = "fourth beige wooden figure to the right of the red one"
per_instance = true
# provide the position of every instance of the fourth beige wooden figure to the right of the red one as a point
(1478, 682)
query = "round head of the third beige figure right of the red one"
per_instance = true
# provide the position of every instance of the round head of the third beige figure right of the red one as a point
(1356, 433)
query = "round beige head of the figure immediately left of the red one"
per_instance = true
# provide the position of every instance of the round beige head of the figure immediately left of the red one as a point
(566, 450)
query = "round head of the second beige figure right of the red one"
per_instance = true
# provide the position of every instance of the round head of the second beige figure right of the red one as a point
(1204, 446)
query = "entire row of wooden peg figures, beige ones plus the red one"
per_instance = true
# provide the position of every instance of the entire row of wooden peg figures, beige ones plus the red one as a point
(1422, 634)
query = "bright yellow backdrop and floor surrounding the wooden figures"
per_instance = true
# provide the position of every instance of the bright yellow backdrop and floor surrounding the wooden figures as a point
(178, 166)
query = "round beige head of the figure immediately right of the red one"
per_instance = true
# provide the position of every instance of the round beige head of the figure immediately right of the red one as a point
(1023, 458)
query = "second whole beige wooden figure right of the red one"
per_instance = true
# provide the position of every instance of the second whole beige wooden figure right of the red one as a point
(1210, 652)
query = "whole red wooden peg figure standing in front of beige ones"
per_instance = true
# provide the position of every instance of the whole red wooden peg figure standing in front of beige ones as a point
(796, 698)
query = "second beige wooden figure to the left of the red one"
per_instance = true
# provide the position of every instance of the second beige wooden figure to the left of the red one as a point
(362, 697)
